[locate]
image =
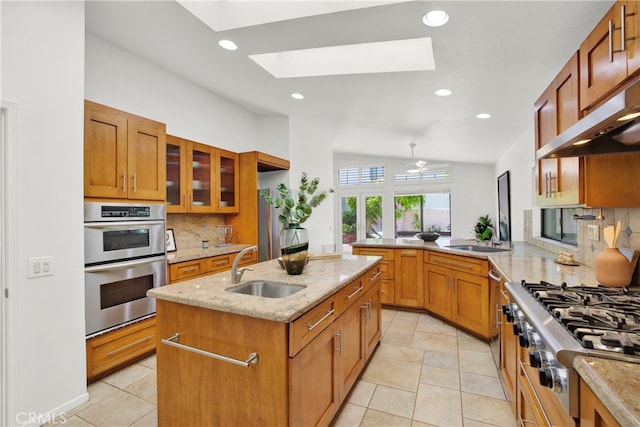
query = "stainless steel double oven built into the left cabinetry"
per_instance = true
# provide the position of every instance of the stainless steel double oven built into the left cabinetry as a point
(125, 256)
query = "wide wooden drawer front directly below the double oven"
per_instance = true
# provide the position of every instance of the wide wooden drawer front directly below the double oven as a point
(116, 348)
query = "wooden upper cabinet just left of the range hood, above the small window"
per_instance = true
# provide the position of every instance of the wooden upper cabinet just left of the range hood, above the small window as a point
(558, 181)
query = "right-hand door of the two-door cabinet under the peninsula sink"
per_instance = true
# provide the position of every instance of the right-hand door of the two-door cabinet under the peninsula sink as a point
(471, 302)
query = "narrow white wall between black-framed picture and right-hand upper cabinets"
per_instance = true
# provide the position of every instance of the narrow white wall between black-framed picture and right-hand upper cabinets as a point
(519, 160)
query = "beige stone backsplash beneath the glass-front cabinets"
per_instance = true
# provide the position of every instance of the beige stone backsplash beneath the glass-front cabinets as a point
(190, 230)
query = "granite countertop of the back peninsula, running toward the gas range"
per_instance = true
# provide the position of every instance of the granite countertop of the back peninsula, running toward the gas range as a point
(522, 262)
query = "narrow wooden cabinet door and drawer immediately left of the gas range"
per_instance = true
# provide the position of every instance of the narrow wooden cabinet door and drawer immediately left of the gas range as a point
(508, 352)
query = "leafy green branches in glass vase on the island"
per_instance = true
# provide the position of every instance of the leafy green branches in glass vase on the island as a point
(295, 208)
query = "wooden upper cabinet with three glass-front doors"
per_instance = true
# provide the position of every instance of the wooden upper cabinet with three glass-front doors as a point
(200, 178)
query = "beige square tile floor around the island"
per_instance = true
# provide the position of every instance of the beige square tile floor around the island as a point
(424, 373)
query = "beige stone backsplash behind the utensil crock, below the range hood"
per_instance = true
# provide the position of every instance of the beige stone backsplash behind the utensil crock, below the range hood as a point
(587, 250)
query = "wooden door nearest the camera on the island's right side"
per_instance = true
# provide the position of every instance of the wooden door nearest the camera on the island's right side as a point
(314, 394)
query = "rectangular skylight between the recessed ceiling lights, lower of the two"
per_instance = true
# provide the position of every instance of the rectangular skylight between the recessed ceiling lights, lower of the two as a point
(376, 57)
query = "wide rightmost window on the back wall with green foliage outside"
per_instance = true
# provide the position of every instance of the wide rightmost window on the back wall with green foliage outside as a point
(415, 213)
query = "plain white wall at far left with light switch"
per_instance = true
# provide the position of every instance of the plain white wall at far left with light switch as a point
(42, 72)
